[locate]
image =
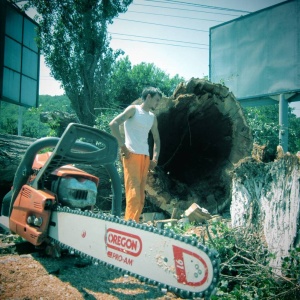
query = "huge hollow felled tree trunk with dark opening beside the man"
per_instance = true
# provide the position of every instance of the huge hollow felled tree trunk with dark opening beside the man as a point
(203, 134)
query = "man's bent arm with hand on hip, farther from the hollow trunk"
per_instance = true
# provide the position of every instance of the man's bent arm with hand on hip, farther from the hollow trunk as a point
(115, 126)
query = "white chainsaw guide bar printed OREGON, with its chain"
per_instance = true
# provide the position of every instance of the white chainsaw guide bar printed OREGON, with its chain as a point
(179, 264)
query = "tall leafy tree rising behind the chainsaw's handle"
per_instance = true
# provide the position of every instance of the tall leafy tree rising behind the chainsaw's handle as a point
(74, 40)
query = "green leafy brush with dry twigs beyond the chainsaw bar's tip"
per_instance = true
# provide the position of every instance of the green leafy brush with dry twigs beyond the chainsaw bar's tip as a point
(245, 270)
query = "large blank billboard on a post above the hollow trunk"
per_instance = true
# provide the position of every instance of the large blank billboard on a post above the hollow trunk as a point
(258, 55)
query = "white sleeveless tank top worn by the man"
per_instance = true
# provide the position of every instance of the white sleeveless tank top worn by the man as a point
(137, 129)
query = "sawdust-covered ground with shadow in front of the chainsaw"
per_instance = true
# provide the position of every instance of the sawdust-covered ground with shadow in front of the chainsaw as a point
(28, 274)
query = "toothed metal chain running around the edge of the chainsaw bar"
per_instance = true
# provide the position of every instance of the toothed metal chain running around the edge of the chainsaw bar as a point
(213, 254)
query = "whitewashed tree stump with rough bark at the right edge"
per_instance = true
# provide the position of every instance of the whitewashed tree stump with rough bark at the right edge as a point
(268, 195)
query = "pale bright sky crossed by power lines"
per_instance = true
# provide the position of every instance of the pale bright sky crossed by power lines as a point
(171, 34)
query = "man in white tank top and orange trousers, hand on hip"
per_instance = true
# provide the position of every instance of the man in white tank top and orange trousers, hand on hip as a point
(138, 121)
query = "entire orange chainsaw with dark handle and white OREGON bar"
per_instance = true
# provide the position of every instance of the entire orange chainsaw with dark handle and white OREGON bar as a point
(52, 201)
